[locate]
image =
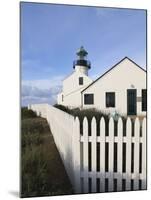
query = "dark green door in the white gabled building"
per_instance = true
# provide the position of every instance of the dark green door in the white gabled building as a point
(131, 102)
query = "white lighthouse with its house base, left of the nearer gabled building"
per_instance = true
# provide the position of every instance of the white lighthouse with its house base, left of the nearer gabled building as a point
(76, 82)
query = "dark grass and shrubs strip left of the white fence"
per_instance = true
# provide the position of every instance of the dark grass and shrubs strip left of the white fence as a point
(42, 171)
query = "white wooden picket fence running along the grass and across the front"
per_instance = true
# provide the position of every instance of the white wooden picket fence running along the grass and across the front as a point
(99, 163)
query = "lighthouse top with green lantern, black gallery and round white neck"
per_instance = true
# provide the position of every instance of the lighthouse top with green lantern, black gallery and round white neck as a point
(81, 64)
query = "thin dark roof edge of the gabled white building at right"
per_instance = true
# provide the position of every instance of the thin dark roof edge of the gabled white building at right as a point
(113, 68)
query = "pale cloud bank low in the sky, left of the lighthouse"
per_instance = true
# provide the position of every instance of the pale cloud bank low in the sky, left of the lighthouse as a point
(41, 91)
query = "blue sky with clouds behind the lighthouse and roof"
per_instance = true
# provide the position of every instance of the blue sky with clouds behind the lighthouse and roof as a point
(51, 34)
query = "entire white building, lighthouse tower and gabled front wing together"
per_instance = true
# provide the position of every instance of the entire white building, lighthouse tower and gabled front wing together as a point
(122, 88)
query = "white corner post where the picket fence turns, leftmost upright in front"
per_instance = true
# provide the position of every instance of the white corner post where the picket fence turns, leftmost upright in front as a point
(76, 153)
